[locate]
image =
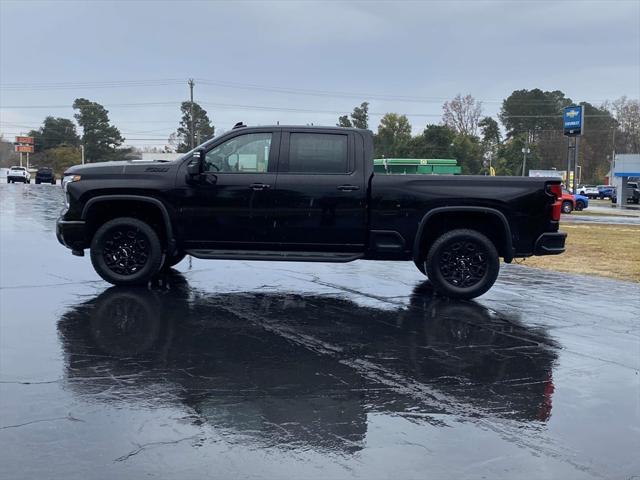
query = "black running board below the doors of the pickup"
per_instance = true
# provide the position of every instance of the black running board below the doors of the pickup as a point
(272, 256)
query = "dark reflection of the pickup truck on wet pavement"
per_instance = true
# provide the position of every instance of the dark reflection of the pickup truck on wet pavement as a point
(283, 369)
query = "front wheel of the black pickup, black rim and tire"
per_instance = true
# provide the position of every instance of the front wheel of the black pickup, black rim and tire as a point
(126, 251)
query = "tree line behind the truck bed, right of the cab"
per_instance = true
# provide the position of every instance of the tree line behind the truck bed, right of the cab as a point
(530, 119)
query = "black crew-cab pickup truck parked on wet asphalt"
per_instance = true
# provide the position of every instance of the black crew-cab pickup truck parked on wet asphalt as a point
(303, 194)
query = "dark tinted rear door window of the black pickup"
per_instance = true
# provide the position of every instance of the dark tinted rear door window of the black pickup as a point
(318, 153)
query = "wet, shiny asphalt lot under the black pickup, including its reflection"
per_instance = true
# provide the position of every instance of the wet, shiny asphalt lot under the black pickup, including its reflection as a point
(283, 370)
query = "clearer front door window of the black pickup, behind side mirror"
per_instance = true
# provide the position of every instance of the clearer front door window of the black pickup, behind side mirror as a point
(242, 154)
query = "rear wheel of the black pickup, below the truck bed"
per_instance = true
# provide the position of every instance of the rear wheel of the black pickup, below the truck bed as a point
(462, 253)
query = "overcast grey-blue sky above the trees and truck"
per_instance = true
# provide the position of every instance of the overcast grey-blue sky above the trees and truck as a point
(304, 61)
